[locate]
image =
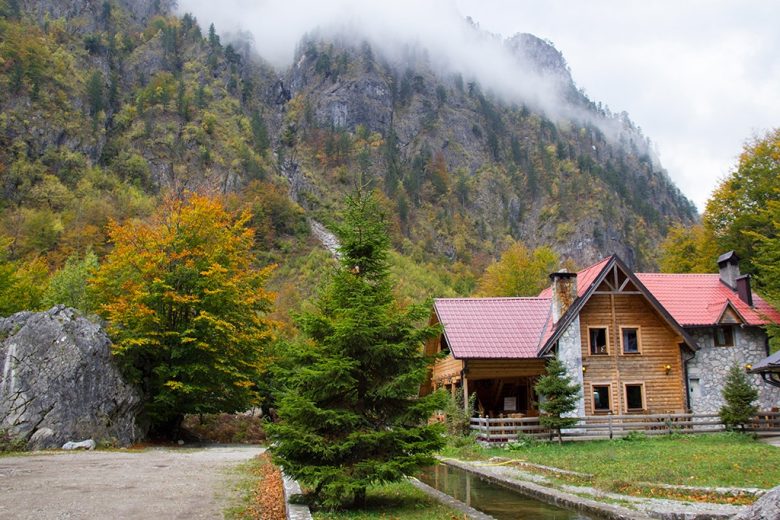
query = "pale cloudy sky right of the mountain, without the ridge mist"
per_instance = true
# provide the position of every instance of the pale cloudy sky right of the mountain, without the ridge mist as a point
(699, 77)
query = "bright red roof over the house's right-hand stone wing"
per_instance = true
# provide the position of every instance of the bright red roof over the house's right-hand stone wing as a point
(701, 299)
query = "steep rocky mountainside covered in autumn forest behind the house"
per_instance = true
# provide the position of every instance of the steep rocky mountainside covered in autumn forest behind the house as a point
(107, 105)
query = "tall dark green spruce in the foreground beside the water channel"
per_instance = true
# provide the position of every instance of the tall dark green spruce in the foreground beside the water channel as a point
(349, 415)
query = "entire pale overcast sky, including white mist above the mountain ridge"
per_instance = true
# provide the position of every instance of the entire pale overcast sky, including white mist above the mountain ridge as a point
(699, 77)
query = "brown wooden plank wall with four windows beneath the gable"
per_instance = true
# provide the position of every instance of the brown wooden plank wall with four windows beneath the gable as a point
(659, 347)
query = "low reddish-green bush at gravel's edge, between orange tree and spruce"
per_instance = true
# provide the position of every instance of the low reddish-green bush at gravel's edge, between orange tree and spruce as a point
(226, 428)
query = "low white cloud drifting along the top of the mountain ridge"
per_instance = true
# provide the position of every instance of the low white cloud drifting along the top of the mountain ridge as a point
(448, 39)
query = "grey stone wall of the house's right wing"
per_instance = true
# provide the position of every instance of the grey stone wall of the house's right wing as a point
(707, 371)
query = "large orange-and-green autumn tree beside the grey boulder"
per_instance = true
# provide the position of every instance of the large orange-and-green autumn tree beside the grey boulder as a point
(185, 306)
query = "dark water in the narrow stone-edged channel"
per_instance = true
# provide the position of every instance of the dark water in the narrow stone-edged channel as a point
(499, 502)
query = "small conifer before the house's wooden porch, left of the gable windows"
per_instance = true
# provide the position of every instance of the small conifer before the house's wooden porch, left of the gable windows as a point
(560, 397)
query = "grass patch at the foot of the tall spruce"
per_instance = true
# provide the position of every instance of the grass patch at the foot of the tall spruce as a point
(397, 501)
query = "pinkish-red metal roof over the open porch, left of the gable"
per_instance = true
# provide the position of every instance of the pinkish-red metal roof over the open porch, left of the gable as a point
(494, 327)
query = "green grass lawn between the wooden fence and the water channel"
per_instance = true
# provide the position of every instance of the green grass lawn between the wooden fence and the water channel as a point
(729, 460)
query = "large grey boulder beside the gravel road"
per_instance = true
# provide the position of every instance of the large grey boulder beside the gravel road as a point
(58, 382)
